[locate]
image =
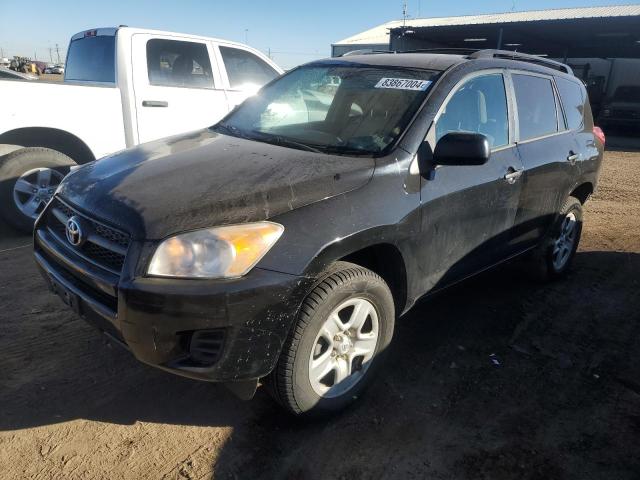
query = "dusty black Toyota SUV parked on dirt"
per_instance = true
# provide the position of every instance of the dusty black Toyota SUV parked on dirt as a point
(282, 243)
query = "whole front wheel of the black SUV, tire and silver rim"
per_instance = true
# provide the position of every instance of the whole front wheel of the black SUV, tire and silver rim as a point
(347, 287)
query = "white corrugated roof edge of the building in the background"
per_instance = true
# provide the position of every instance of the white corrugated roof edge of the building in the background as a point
(380, 34)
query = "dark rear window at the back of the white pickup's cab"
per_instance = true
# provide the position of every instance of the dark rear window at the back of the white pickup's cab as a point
(92, 59)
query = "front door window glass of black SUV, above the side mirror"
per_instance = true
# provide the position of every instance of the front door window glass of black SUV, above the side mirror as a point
(479, 106)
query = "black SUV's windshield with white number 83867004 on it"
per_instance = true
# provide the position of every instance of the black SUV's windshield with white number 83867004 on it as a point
(344, 109)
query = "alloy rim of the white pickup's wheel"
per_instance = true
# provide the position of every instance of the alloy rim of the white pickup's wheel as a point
(34, 189)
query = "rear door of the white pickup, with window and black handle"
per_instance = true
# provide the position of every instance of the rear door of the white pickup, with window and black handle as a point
(177, 85)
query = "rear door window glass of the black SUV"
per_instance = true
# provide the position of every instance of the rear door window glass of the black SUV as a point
(537, 114)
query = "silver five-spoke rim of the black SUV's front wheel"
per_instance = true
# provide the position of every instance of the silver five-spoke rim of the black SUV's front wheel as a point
(344, 347)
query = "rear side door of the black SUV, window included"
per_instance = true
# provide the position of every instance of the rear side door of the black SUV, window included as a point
(548, 152)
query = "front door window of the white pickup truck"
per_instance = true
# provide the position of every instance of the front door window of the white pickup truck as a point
(246, 70)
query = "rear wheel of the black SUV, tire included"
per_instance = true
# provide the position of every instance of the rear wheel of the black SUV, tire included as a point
(549, 264)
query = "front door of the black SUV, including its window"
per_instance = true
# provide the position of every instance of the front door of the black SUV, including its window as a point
(468, 211)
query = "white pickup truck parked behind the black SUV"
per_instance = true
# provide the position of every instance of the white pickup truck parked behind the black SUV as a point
(122, 86)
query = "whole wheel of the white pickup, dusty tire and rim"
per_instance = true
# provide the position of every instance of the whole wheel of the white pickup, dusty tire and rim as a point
(31, 165)
